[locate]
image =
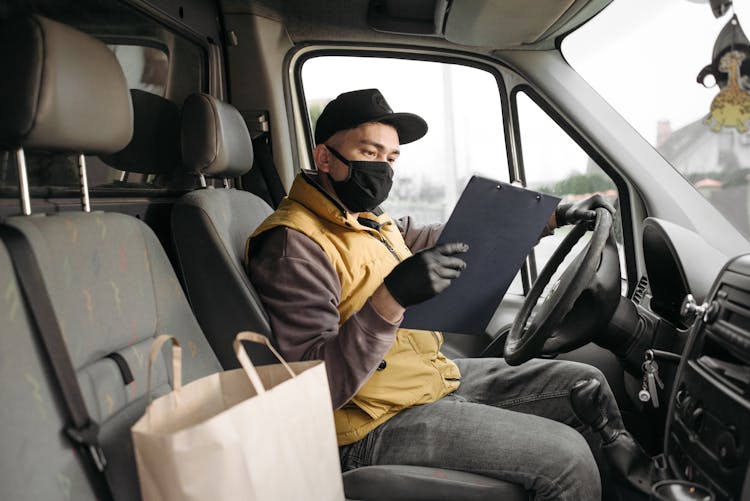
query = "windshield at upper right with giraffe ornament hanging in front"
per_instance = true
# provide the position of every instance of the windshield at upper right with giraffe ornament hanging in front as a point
(648, 58)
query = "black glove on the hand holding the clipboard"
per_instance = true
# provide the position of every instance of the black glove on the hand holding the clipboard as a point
(425, 274)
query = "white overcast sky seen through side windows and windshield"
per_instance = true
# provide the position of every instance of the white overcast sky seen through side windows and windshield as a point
(642, 56)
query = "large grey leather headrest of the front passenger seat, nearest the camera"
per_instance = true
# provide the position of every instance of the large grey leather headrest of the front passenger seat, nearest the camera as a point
(62, 90)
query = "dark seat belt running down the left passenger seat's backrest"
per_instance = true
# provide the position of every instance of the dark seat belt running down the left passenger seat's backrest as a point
(82, 431)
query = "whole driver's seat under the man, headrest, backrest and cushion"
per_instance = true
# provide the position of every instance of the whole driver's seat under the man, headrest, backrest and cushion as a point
(210, 227)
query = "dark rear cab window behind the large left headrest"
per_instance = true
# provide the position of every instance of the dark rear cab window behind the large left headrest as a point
(154, 59)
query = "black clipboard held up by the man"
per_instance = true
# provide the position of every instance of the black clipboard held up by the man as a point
(501, 223)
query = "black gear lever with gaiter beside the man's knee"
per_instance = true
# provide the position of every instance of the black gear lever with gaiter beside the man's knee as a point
(626, 458)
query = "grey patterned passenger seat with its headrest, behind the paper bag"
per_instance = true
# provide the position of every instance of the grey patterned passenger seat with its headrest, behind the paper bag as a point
(111, 285)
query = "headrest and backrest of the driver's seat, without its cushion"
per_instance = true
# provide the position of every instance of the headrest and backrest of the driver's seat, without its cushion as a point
(210, 226)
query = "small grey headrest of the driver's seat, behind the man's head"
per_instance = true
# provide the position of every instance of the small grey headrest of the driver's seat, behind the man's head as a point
(215, 140)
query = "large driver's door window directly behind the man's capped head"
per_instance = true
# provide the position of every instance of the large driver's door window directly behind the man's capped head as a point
(462, 108)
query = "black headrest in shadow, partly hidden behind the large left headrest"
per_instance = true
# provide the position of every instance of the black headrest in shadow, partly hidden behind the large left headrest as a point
(155, 147)
